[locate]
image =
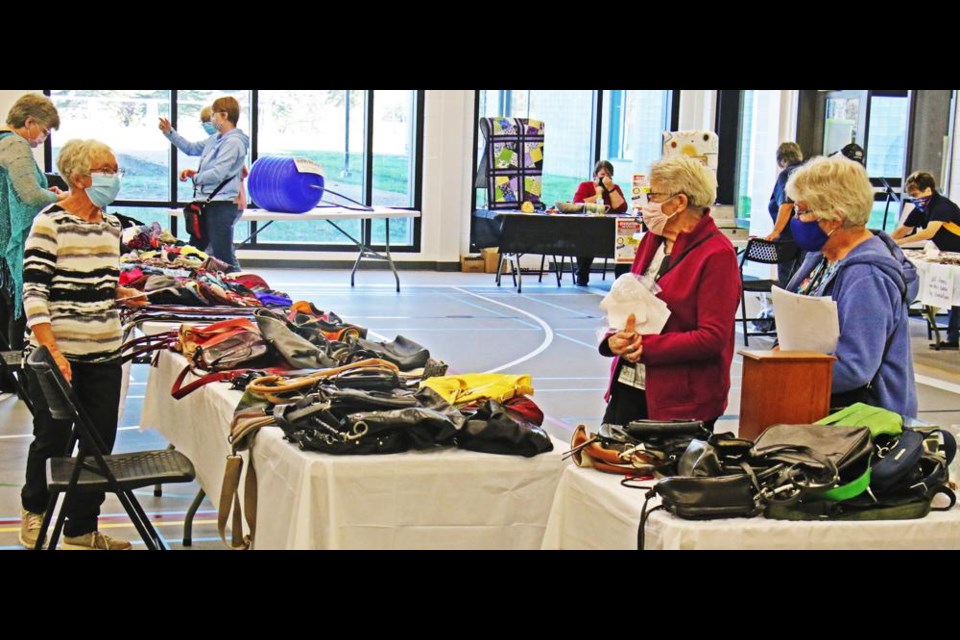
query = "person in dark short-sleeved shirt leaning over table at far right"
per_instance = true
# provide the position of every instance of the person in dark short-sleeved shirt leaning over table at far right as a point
(939, 220)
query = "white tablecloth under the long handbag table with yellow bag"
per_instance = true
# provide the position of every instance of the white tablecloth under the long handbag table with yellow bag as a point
(442, 499)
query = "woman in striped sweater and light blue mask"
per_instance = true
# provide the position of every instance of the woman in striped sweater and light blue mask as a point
(71, 274)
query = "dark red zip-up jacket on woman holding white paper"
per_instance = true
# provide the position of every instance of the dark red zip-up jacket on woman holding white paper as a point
(688, 364)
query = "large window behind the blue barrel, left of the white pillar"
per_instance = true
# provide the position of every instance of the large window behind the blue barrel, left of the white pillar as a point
(367, 141)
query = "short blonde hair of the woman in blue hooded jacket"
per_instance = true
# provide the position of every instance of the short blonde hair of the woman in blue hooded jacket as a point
(833, 189)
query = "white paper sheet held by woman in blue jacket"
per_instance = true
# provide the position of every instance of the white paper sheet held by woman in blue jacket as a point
(805, 323)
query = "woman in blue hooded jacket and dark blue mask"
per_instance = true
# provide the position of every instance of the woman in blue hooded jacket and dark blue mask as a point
(874, 361)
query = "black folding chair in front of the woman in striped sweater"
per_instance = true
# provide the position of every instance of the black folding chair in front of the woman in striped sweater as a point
(119, 474)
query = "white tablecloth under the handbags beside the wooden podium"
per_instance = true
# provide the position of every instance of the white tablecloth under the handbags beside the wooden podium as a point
(592, 511)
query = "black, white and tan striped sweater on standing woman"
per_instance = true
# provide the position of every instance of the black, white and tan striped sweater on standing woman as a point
(70, 276)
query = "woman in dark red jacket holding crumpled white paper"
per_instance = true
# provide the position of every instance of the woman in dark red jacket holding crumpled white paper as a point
(683, 372)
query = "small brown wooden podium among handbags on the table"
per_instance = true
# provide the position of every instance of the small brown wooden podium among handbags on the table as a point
(783, 387)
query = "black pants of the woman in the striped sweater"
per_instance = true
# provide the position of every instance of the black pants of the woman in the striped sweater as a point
(97, 386)
